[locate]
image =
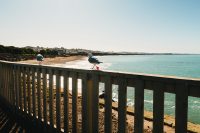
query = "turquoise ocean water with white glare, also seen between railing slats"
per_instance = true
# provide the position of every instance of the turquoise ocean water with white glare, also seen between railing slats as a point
(172, 65)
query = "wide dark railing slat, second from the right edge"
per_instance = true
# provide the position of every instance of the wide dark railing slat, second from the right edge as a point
(158, 107)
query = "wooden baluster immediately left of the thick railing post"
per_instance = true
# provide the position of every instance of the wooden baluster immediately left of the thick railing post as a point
(74, 102)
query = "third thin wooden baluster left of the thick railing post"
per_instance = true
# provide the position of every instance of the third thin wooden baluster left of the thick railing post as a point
(58, 88)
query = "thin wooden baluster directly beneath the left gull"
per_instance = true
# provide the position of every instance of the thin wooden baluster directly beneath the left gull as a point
(39, 92)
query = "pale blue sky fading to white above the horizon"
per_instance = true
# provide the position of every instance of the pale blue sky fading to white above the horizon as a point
(109, 25)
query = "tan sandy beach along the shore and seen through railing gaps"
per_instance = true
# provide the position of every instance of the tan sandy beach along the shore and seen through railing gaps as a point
(169, 121)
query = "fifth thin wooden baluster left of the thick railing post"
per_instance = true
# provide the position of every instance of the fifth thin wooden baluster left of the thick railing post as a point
(44, 95)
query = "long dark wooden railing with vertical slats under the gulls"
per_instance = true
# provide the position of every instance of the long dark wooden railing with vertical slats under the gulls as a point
(38, 92)
